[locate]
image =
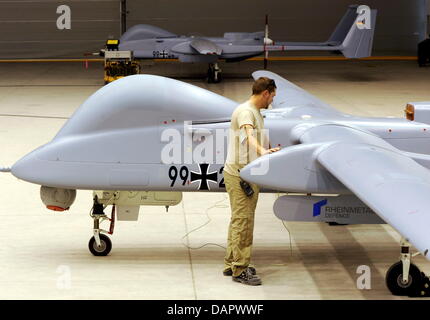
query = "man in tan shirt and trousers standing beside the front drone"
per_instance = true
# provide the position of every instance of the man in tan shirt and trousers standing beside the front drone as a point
(247, 142)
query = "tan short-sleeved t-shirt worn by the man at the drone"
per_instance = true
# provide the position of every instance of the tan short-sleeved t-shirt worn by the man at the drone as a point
(239, 154)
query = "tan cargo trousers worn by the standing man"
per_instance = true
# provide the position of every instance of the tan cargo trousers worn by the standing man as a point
(241, 229)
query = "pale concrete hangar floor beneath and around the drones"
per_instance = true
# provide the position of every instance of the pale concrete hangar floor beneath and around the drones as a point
(44, 255)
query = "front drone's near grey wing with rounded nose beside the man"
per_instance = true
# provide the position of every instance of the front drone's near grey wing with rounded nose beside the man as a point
(388, 180)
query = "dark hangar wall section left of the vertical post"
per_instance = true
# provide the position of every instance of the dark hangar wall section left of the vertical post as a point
(28, 29)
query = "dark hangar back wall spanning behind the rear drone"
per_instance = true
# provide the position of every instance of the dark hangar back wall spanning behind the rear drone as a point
(28, 28)
